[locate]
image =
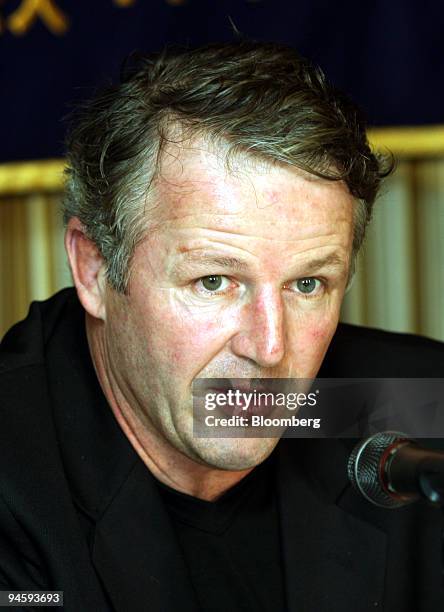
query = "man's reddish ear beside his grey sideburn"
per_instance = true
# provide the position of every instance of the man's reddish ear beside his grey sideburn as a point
(87, 267)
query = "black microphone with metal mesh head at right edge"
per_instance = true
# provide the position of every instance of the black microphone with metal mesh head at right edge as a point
(390, 470)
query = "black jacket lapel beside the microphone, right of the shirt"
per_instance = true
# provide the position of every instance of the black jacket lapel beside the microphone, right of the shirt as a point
(332, 560)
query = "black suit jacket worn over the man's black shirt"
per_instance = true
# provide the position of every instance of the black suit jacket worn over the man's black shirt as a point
(80, 512)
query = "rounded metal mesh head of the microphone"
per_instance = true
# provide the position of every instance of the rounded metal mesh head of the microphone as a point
(364, 469)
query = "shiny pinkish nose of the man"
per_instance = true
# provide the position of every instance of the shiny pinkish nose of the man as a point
(261, 337)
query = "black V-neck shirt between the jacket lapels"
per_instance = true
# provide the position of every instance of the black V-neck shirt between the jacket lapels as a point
(232, 545)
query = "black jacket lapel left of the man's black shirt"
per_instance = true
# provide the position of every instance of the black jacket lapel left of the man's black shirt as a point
(136, 554)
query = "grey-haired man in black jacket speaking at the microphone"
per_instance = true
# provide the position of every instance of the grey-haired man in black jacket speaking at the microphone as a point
(216, 200)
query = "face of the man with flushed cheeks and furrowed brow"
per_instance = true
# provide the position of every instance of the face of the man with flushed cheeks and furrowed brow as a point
(243, 277)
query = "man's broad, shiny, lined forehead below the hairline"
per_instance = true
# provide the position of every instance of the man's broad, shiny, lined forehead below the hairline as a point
(199, 183)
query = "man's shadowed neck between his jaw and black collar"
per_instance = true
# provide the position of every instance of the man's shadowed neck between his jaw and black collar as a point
(165, 462)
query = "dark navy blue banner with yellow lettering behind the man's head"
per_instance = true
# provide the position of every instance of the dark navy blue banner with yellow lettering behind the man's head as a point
(388, 56)
